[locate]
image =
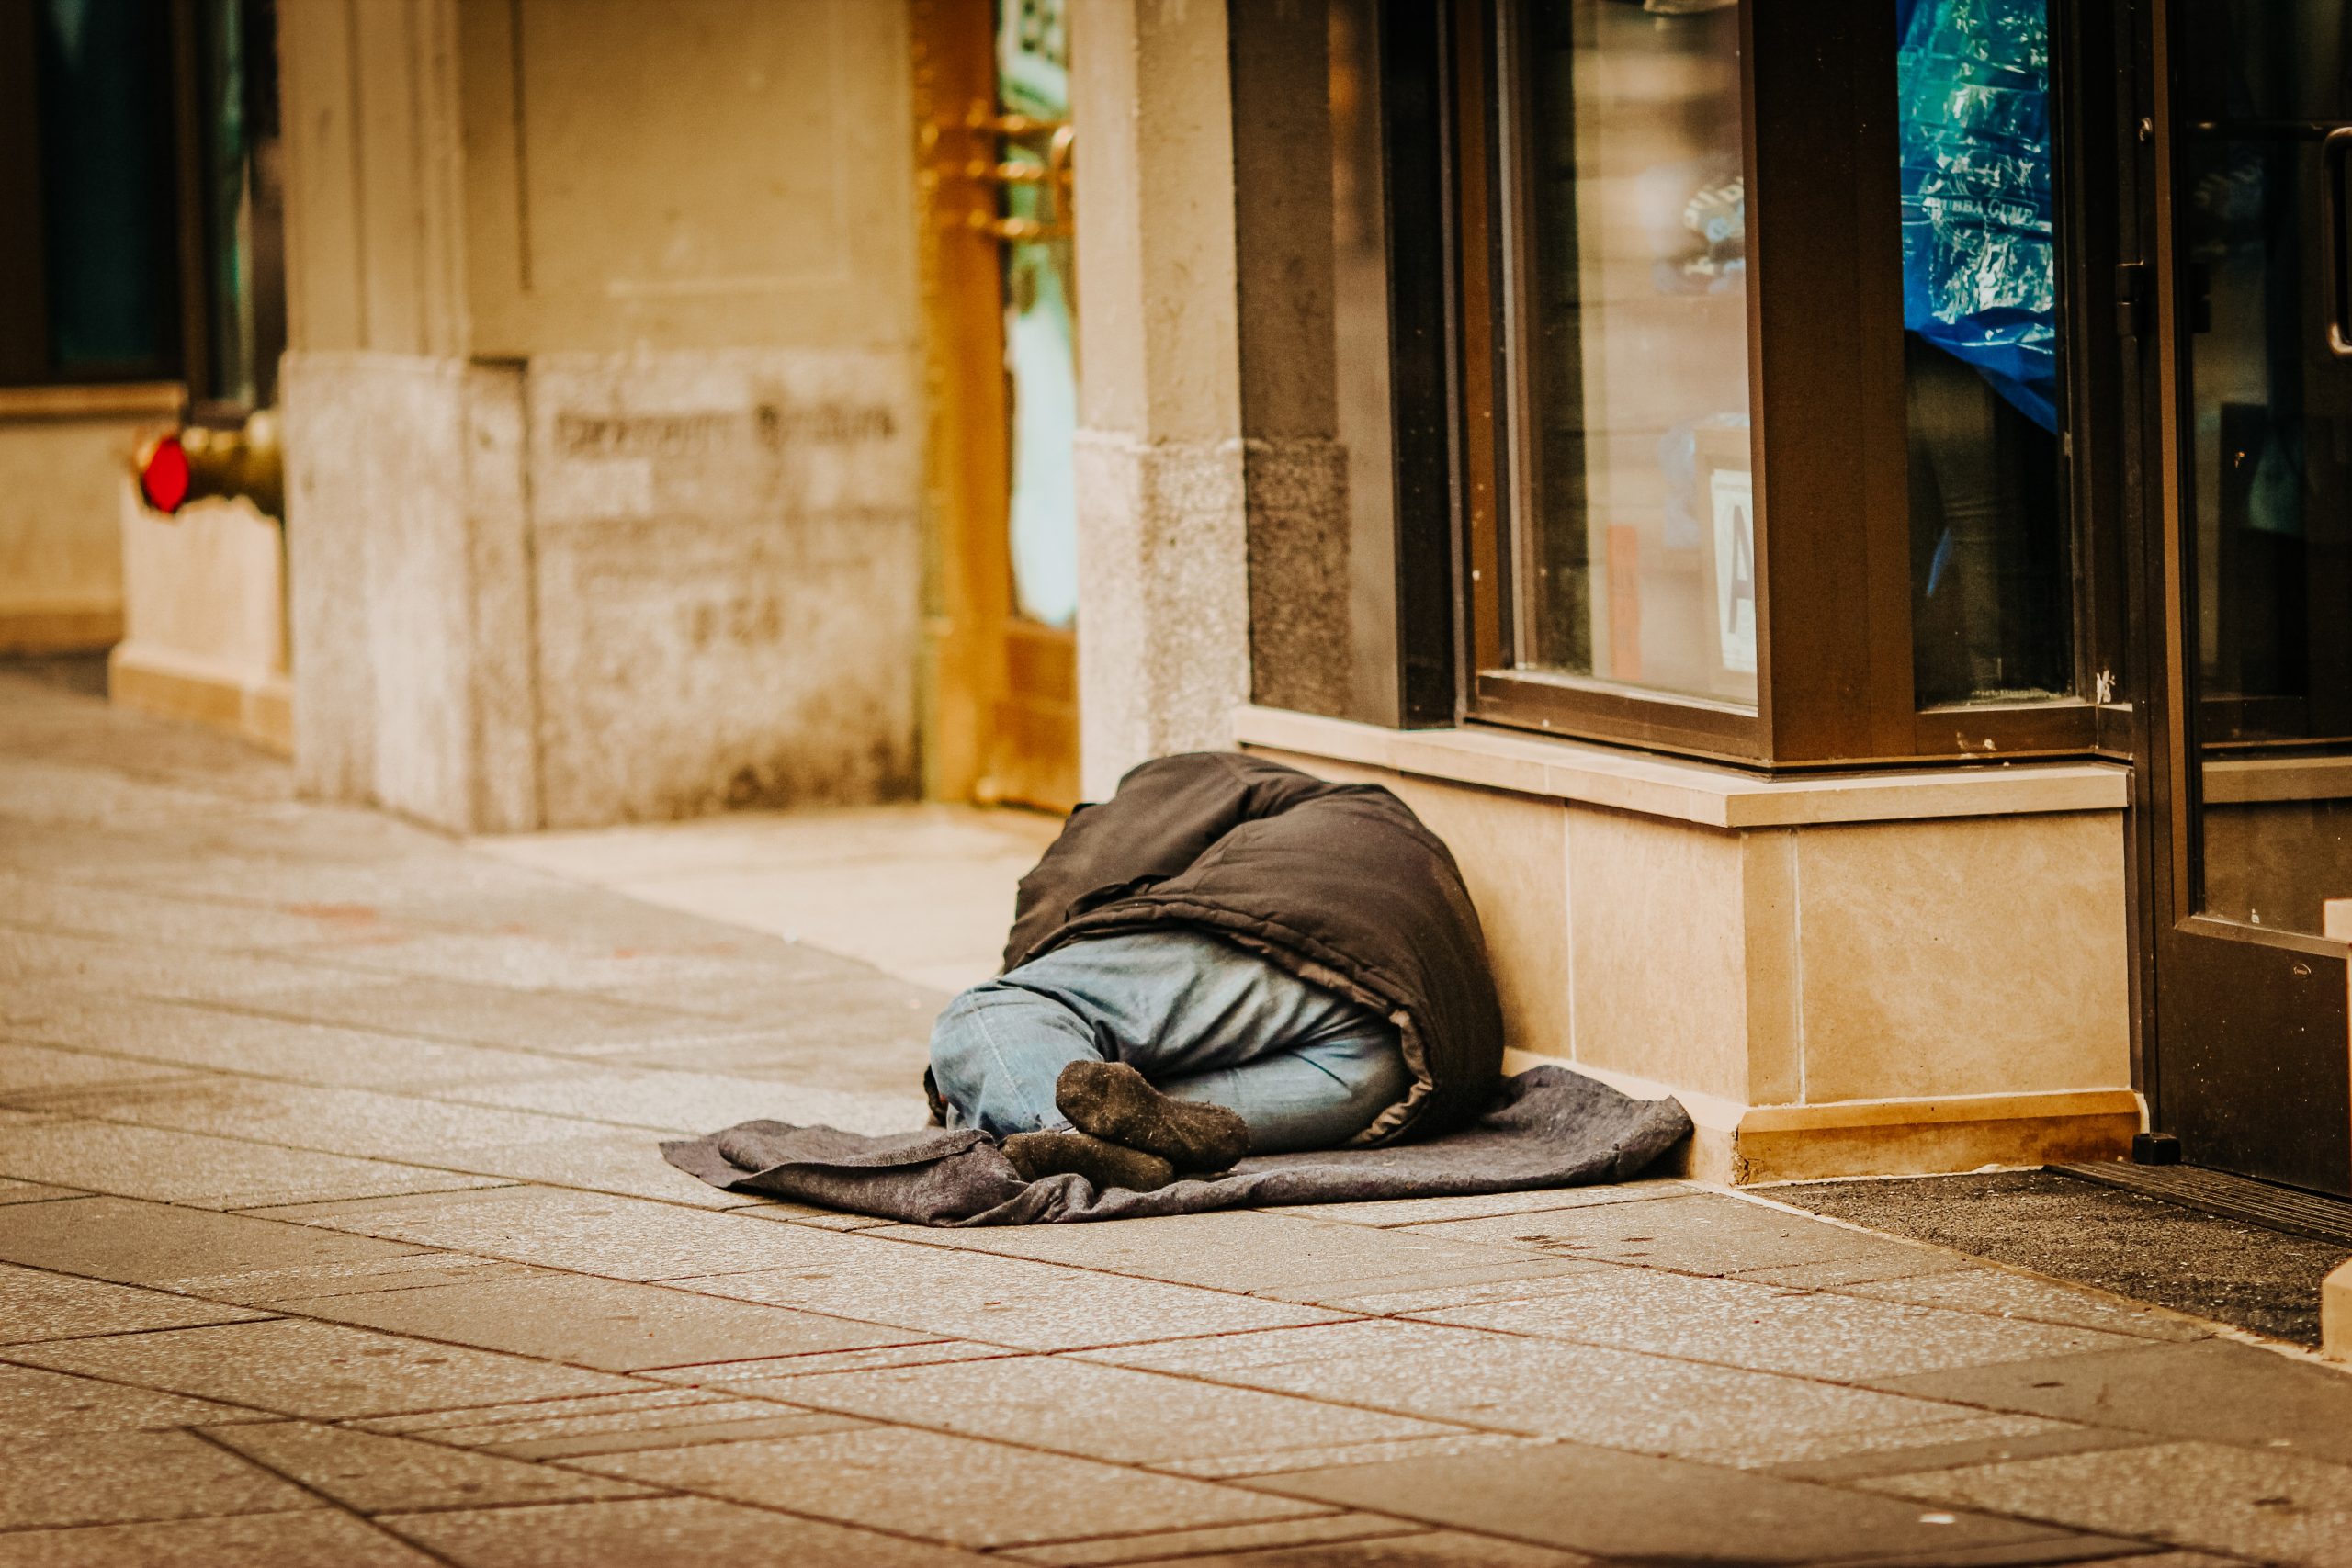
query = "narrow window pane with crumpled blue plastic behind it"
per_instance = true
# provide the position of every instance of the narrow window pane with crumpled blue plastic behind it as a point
(1991, 561)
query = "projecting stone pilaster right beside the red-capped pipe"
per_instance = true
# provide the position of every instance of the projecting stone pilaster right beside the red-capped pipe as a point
(382, 572)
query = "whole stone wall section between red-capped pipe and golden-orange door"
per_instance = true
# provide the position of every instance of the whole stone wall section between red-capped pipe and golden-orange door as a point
(603, 415)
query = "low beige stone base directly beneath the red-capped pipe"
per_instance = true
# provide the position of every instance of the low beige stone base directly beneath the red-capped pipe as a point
(206, 631)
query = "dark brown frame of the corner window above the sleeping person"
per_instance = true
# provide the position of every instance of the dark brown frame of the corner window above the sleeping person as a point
(1829, 431)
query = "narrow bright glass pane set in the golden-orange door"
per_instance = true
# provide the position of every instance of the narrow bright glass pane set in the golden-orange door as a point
(1041, 361)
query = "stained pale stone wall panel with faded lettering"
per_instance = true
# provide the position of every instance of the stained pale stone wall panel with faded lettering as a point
(728, 556)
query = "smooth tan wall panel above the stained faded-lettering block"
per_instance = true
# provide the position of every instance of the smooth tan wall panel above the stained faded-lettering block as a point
(690, 175)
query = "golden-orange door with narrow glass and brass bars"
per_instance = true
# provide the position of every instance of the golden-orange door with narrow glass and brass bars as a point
(1001, 314)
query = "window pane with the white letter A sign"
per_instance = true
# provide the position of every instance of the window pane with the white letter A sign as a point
(1633, 556)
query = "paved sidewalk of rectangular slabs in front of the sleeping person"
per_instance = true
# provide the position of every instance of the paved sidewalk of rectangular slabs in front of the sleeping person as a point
(333, 1233)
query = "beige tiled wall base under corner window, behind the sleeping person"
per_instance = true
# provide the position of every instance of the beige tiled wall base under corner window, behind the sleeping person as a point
(1838, 977)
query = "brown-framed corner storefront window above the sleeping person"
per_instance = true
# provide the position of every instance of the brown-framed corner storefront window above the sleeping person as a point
(1775, 443)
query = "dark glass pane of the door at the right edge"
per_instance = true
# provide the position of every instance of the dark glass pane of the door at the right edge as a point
(2269, 502)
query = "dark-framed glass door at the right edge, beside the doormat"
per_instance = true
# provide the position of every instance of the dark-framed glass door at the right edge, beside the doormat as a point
(2252, 1028)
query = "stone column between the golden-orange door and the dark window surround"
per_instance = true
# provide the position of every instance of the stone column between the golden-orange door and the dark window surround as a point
(1163, 537)
